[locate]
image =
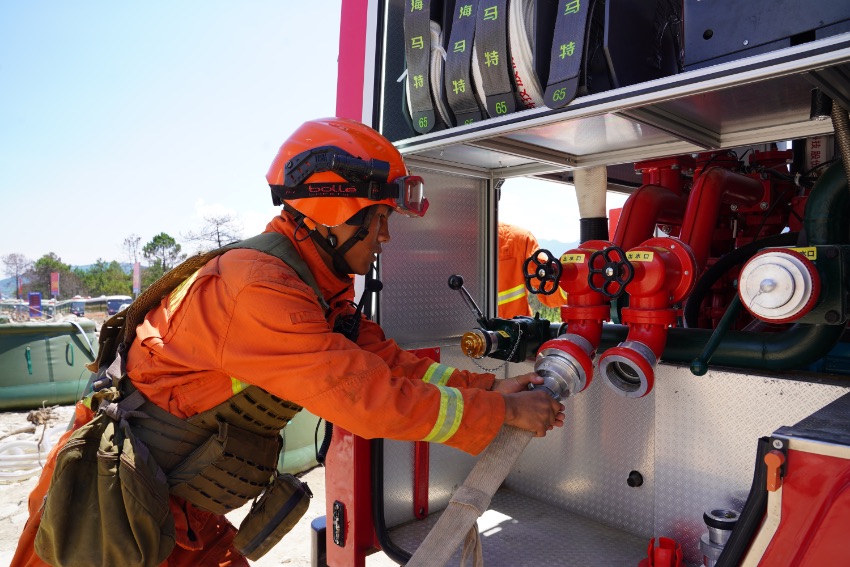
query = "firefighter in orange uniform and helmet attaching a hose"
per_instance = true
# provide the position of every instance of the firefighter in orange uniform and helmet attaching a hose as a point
(247, 319)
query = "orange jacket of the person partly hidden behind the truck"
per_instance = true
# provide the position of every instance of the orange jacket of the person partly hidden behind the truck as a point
(515, 246)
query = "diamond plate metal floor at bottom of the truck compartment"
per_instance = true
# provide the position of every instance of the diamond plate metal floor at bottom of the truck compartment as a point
(518, 531)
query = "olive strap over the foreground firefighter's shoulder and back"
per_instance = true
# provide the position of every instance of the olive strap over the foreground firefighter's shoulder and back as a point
(121, 327)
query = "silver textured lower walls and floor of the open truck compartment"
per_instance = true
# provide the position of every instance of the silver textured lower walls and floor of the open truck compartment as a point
(568, 500)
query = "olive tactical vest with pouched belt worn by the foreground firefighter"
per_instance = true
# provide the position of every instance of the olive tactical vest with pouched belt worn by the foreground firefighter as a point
(224, 457)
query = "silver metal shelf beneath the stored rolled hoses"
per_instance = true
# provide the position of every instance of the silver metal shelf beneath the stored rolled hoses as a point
(755, 100)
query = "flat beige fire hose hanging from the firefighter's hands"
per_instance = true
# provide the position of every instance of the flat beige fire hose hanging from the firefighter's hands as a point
(470, 500)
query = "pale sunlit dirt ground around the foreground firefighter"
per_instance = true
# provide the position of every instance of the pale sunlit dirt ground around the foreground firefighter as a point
(293, 551)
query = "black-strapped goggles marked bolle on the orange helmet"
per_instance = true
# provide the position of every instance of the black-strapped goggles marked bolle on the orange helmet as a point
(365, 179)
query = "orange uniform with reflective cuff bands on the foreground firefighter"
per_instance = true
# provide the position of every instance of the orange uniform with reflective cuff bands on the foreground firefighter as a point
(246, 318)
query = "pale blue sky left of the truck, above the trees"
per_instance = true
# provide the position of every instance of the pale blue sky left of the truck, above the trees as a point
(130, 117)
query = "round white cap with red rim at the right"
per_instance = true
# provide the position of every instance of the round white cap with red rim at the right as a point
(779, 285)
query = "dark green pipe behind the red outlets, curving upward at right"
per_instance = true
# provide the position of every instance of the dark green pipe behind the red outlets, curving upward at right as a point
(800, 345)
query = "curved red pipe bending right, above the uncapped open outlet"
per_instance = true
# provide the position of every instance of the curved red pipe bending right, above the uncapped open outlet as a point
(715, 188)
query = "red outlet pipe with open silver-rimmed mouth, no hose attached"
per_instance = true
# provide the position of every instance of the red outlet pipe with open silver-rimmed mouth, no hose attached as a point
(664, 274)
